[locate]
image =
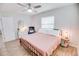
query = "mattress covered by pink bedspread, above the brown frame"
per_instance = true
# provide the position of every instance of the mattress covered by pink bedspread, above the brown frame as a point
(44, 43)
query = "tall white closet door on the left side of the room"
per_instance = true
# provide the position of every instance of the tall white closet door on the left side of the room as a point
(8, 28)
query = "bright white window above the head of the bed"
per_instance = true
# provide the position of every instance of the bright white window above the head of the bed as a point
(47, 22)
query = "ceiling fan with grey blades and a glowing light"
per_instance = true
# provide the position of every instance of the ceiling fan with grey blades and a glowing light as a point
(29, 7)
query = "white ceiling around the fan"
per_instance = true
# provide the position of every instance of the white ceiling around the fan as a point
(14, 8)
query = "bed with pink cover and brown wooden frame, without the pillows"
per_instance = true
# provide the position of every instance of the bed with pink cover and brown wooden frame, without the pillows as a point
(40, 43)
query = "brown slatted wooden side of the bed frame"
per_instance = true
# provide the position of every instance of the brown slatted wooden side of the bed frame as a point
(27, 45)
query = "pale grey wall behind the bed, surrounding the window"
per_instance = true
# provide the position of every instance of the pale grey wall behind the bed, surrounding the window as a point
(65, 17)
